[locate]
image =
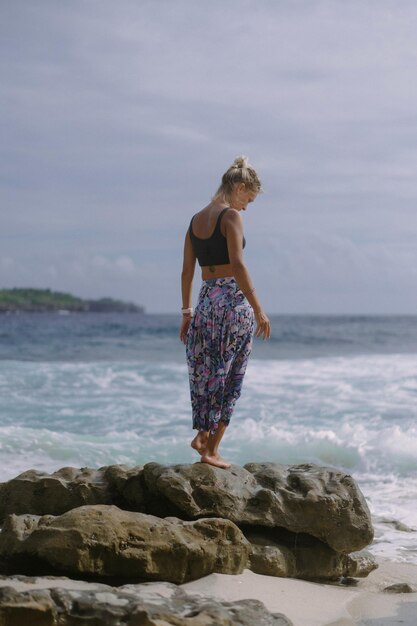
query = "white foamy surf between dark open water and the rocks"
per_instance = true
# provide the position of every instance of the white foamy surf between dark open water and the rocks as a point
(355, 413)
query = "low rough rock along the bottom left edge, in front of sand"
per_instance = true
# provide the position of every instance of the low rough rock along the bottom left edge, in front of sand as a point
(134, 605)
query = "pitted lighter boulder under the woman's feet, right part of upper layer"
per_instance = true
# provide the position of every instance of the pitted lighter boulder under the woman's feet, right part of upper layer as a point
(319, 501)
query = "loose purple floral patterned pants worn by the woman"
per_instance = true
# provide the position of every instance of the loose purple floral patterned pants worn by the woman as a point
(219, 342)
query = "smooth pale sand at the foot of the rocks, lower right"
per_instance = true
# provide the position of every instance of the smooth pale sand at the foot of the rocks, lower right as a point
(321, 604)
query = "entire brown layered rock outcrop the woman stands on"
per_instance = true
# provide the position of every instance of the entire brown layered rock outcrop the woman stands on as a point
(301, 521)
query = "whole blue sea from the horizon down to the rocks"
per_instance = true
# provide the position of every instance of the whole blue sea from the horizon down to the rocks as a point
(341, 391)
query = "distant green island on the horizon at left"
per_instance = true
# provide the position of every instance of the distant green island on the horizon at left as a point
(46, 301)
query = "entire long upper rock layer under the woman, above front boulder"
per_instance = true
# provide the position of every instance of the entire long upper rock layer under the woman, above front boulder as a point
(320, 501)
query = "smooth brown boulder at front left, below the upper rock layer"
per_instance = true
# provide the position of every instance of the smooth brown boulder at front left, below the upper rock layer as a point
(103, 541)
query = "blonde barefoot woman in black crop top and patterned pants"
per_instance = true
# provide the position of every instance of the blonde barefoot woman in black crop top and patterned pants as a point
(218, 336)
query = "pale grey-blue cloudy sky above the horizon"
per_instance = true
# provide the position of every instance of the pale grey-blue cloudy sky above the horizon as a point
(118, 120)
